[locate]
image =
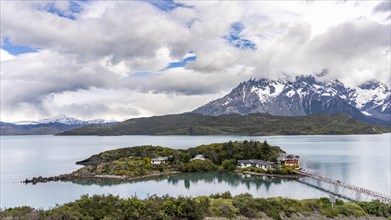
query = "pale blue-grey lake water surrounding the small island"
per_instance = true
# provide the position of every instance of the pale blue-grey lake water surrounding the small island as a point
(361, 160)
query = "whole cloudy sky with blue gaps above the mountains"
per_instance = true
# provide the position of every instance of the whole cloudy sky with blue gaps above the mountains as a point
(125, 59)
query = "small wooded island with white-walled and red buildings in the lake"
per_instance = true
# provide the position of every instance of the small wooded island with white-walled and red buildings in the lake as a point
(250, 157)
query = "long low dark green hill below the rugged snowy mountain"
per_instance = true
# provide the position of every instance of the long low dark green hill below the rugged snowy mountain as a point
(252, 124)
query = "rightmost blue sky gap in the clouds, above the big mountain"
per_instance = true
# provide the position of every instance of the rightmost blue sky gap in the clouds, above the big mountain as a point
(235, 39)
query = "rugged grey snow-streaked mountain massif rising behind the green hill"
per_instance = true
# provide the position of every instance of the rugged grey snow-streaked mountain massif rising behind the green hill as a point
(305, 95)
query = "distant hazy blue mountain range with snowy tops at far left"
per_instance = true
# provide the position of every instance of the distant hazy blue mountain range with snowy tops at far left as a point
(52, 125)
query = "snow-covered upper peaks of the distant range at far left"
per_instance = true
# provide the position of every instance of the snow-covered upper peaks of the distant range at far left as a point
(63, 119)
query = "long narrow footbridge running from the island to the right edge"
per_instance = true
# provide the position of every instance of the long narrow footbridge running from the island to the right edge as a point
(342, 189)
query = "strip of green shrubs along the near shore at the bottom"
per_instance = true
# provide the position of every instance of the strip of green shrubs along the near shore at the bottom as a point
(218, 205)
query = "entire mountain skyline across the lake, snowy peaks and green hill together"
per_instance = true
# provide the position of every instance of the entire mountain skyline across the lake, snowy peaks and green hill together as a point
(271, 105)
